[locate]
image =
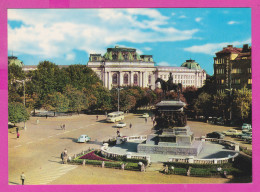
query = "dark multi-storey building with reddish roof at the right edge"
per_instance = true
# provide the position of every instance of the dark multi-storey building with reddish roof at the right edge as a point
(232, 68)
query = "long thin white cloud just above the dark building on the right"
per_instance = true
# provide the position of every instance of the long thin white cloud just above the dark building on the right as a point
(212, 48)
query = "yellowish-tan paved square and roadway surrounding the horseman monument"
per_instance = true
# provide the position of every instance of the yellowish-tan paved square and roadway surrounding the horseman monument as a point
(37, 151)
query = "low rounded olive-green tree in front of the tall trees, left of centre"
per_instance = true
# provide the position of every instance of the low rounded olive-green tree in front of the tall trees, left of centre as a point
(57, 102)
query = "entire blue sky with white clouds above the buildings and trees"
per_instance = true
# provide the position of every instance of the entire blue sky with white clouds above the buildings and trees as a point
(171, 35)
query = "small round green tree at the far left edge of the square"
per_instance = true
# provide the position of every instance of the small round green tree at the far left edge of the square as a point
(17, 113)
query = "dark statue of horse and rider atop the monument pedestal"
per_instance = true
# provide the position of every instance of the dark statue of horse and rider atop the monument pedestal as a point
(169, 85)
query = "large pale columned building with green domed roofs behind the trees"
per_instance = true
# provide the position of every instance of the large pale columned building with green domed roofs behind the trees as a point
(124, 67)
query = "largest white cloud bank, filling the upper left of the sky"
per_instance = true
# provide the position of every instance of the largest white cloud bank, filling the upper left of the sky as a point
(57, 32)
